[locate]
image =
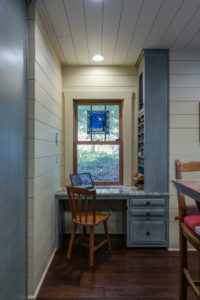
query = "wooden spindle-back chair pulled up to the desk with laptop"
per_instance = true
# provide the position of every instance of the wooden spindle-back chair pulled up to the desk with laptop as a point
(78, 201)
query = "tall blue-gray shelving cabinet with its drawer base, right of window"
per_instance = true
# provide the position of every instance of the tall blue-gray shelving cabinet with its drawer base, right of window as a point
(147, 216)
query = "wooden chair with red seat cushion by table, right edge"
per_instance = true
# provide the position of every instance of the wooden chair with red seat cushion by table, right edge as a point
(189, 218)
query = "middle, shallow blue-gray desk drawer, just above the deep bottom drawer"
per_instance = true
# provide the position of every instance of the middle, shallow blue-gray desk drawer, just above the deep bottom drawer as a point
(147, 212)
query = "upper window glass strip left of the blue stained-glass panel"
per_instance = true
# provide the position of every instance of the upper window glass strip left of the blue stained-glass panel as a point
(82, 123)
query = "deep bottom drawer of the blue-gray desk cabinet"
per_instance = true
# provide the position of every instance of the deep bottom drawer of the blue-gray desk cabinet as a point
(147, 232)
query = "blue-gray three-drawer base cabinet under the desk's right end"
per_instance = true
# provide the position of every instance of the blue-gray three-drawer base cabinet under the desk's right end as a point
(147, 222)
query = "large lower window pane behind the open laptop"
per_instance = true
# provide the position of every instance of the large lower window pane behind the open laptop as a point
(102, 161)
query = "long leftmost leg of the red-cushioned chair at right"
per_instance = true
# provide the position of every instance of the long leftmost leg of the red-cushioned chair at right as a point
(182, 264)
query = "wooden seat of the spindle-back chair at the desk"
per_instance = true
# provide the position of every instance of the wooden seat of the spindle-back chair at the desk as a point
(100, 217)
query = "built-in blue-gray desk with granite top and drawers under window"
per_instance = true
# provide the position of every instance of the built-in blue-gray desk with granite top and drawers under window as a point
(146, 214)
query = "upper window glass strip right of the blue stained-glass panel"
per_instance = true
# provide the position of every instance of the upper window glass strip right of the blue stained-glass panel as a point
(114, 122)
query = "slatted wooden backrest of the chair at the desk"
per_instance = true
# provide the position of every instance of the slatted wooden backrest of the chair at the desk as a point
(78, 202)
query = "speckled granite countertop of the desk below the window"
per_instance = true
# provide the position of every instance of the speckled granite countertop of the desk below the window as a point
(112, 191)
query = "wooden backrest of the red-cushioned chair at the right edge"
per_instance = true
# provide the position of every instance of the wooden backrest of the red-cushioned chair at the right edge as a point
(190, 166)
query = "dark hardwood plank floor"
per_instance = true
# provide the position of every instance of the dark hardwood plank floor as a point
(137, 274)
